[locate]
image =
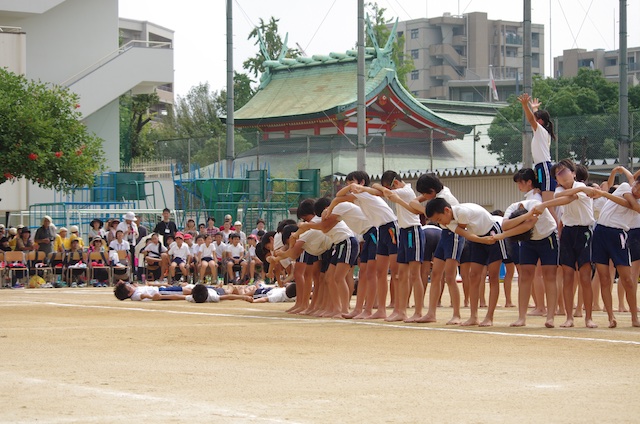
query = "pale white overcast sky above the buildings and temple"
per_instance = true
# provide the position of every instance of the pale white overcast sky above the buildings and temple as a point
(324, 26)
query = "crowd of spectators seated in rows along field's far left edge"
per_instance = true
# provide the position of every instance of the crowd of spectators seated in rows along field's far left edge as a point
(123, 249)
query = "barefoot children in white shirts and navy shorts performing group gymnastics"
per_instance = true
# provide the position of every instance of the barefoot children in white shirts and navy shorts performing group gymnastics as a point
(562, 224)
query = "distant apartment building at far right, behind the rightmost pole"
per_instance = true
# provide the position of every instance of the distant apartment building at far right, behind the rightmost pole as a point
(571, 60)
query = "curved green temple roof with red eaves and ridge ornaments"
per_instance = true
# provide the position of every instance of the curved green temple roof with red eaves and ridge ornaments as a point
(324, 89)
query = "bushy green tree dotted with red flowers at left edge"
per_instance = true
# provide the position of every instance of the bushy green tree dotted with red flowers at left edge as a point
(42, 138)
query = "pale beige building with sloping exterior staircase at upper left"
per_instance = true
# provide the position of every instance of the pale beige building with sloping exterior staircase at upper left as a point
(76, 43)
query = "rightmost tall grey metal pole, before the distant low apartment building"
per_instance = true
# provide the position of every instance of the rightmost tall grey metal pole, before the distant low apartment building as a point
(623, 150)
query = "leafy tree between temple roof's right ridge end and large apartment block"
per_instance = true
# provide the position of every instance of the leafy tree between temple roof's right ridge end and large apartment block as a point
(404, 63)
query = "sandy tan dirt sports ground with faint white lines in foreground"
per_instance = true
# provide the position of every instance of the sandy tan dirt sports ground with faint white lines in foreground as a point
(80, 355)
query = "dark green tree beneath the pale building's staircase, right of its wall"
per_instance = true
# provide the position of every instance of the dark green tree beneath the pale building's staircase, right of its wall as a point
(135, 114)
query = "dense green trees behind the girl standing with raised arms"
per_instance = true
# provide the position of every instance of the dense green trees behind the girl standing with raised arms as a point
(585, 108)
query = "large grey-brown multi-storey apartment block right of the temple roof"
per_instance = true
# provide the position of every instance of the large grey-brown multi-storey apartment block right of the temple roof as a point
(454, 55)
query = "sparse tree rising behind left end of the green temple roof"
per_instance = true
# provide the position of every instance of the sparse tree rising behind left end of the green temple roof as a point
(272, 42)
